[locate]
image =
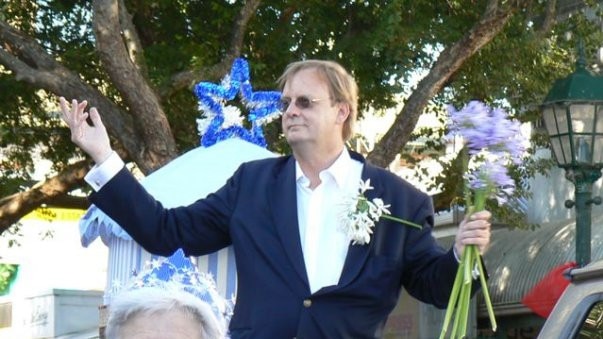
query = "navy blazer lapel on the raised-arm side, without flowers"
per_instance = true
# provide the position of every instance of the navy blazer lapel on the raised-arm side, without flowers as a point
(284, 211)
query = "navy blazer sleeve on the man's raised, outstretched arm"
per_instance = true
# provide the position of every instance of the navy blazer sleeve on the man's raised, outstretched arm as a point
(199, 228)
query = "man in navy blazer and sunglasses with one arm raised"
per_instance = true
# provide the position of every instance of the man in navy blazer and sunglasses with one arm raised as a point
(301, 274)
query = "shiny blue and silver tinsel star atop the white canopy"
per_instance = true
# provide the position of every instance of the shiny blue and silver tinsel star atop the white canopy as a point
(220, 121)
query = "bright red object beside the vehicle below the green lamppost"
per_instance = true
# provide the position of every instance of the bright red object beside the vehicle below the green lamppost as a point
(544, 295)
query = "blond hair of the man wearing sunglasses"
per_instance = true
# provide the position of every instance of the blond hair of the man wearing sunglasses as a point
(342, 86)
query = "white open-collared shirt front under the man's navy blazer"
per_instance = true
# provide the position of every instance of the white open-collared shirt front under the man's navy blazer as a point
(324, 242)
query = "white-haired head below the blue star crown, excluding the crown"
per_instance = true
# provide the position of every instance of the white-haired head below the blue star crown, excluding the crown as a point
(161, 312)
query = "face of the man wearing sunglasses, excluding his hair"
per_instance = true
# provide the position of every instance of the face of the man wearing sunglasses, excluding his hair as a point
(311, 117)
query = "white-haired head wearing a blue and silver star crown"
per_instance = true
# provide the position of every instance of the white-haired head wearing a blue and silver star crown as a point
(169, 298)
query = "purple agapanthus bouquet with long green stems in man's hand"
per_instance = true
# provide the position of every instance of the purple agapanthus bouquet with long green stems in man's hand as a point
(493, 142)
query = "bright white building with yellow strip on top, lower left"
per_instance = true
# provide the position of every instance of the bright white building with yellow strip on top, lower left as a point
(59, 284)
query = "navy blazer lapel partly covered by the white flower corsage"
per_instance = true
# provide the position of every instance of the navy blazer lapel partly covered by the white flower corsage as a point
(358, 254)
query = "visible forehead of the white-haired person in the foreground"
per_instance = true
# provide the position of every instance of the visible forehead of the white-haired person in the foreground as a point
(173, 324)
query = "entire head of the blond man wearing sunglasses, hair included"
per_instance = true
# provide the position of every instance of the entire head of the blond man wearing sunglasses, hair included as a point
(321, 99)
